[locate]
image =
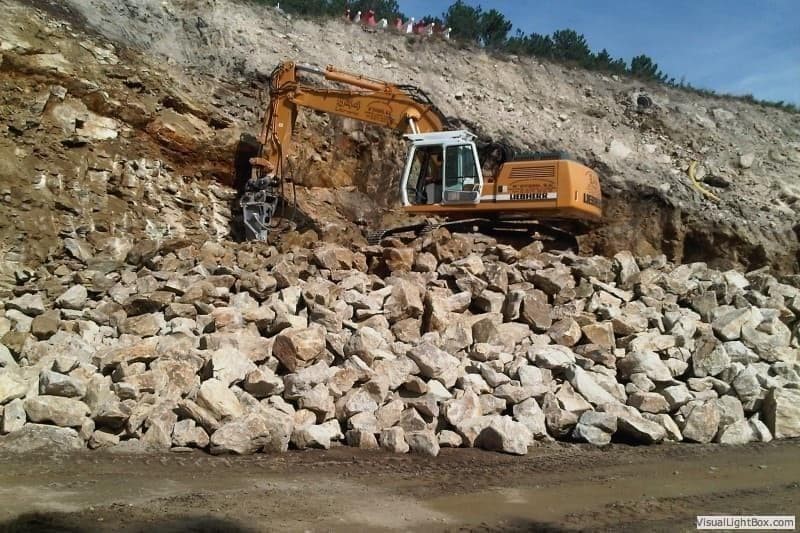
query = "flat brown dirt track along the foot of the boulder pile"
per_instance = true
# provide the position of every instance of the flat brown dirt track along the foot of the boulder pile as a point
(554, 488)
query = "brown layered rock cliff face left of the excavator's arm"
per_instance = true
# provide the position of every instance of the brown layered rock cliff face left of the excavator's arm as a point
(95, 146)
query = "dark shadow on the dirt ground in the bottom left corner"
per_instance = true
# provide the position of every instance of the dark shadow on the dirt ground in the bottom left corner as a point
(78, 523)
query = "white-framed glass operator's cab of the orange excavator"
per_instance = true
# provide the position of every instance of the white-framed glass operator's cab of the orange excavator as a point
(442, 168)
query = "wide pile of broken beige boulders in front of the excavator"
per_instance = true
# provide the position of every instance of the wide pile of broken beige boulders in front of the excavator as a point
(450, 340)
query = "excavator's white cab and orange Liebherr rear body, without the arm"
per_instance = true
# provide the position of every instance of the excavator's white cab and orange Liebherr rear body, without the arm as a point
(443, 176)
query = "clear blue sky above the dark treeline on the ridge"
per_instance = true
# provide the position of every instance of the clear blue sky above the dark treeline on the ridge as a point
(732, 46)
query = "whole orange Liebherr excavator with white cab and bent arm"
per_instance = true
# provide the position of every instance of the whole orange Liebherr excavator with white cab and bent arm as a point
(442, 177)
